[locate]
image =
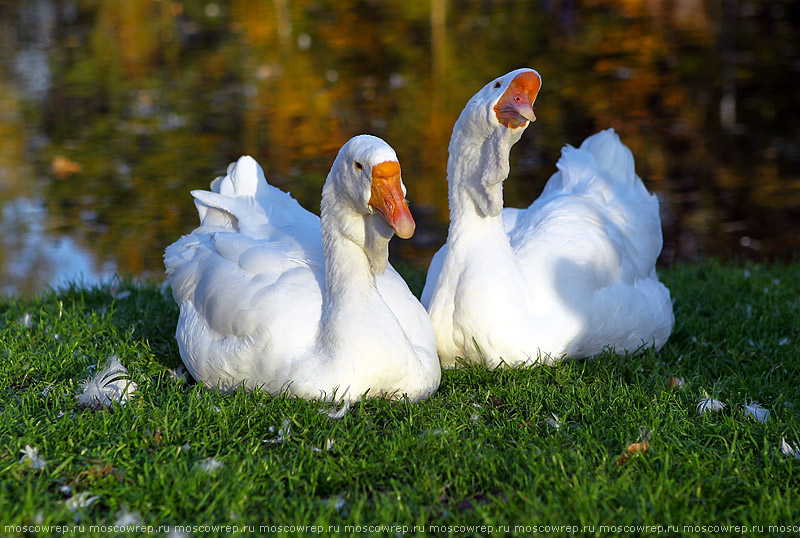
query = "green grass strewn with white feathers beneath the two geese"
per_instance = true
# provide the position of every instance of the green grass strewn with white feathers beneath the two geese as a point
(479, 452)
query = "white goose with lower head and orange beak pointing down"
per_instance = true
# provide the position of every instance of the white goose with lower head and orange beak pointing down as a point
(269, 298)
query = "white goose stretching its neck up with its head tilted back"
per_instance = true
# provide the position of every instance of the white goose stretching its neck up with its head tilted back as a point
(571, 274)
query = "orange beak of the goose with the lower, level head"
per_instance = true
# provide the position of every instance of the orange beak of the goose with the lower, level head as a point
(387, 198)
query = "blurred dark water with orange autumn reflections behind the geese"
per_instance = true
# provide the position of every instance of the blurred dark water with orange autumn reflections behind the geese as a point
(110, 112)
